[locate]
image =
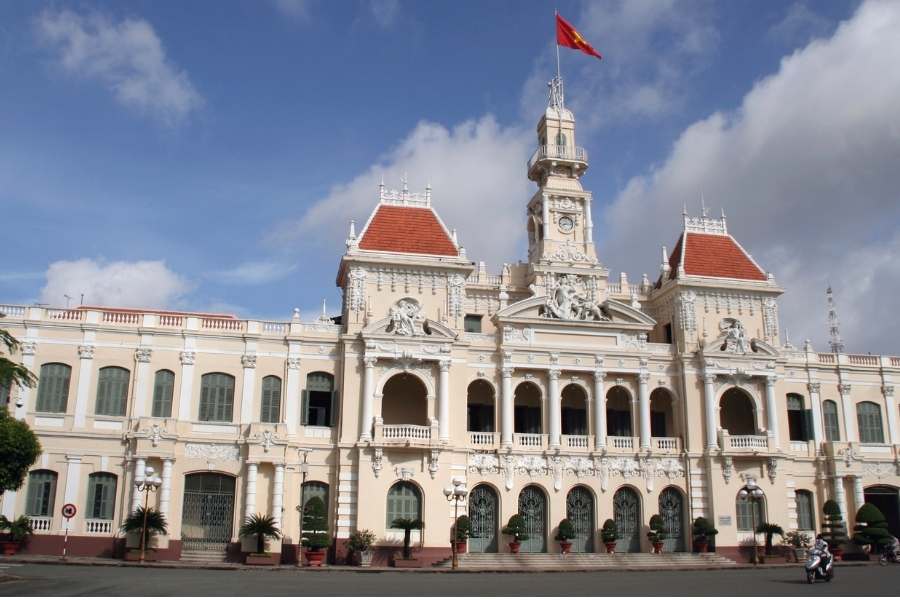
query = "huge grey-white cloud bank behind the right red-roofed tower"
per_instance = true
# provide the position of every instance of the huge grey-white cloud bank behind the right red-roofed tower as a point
(807, 170)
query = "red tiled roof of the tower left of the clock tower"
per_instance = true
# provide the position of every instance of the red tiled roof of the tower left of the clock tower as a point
(407, 229)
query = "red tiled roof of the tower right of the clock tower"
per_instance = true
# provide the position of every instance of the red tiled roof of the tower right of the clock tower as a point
(712, 255)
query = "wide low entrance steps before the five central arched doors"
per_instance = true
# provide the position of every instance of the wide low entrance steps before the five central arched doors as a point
(611, 562)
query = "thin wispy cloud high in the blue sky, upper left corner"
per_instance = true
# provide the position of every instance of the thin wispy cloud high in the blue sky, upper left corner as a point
(126, 56)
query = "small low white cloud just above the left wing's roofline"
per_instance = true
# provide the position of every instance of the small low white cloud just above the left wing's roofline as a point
(141, 284)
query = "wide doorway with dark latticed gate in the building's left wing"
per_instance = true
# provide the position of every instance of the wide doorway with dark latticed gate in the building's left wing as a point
(207, 511)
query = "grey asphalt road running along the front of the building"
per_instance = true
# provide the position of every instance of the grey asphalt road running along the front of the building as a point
(64, 580)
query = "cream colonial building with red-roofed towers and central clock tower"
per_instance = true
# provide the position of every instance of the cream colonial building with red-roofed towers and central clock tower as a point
(554, 390)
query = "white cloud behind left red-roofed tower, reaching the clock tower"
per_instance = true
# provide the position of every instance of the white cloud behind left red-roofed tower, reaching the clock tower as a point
(477, 172)
